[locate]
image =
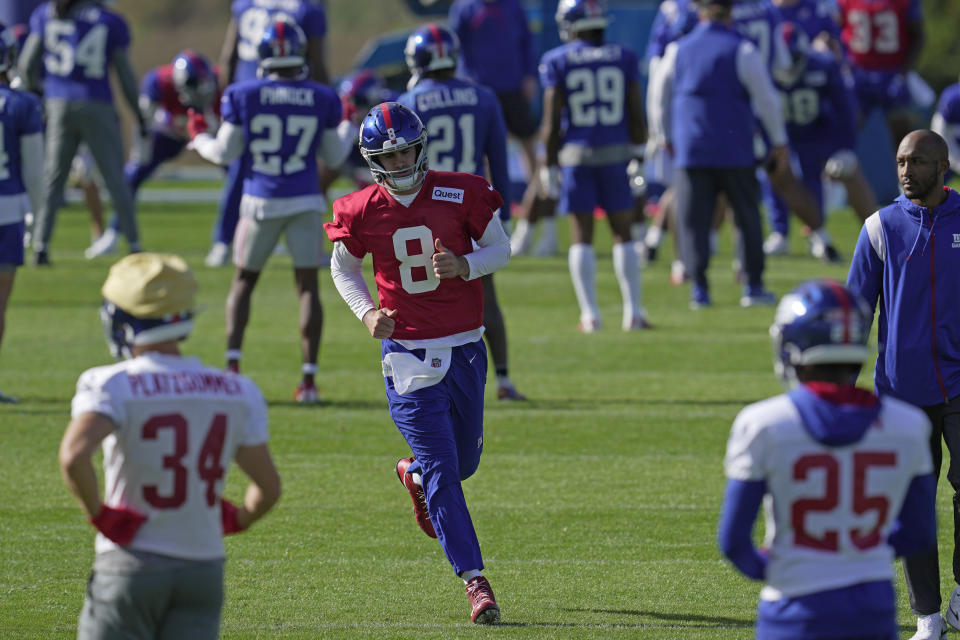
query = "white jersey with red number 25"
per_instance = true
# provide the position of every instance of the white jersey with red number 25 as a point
(829, 509)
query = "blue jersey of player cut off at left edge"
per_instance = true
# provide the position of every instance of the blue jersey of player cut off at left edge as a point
(20, 115)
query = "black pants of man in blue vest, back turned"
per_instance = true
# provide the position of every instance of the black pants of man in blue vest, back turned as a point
(697, 189)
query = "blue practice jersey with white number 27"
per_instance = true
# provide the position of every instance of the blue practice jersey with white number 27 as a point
(283, 122)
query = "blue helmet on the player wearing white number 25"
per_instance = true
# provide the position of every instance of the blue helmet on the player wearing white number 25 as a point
(819, 322)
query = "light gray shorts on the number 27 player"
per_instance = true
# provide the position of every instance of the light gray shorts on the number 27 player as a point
(255, 239)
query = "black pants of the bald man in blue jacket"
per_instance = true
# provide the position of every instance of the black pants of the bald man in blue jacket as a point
(922, 570)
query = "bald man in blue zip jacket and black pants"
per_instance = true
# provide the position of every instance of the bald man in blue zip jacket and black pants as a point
(908, 257)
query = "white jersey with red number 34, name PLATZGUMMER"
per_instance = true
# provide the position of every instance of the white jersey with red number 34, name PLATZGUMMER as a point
(178, 425)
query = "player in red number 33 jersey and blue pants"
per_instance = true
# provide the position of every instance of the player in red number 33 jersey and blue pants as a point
(883, 40)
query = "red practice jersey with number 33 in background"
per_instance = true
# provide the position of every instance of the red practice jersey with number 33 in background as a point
(875, 32)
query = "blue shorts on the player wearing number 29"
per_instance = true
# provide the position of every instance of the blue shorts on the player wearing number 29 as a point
(585, 188)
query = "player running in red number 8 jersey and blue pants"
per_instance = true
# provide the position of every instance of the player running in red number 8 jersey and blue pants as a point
(421, 227)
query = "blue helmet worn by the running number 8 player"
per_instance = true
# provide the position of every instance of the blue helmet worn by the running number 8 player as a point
(391, 127)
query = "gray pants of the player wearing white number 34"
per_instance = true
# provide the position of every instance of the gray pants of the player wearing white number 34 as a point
(149, 596)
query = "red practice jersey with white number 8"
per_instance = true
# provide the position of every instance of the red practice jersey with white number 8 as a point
(454, 207)
